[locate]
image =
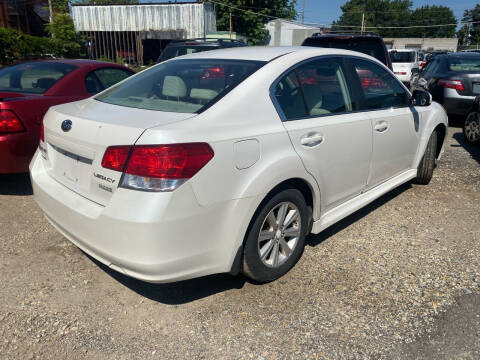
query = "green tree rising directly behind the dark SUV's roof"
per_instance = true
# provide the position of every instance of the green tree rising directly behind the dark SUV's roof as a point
(382, 13)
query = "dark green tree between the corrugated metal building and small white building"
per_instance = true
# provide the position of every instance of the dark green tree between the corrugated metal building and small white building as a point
(250, 16)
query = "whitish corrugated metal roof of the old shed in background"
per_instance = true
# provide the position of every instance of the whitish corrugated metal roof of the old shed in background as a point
(174, 20)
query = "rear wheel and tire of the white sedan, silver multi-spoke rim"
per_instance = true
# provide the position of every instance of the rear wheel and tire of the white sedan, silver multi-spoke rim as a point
(280, 249)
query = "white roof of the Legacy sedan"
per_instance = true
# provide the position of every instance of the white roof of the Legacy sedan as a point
(266, 53)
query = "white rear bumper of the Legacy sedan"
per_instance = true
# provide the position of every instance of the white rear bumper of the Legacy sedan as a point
(154, 237)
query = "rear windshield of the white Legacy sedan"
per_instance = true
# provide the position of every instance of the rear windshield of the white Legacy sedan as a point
(184, 86)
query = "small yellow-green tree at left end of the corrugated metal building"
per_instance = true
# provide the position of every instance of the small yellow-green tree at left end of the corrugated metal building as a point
(66, 41)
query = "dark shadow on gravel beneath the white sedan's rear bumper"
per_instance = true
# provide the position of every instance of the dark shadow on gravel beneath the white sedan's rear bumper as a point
(177, 293)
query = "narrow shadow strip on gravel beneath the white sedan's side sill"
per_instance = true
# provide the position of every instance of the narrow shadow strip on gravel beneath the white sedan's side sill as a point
(314, 240)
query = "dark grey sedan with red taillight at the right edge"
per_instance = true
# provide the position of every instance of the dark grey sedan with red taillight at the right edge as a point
(453, 80)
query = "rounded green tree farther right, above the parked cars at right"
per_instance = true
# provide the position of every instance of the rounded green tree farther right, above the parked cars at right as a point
(432, 15)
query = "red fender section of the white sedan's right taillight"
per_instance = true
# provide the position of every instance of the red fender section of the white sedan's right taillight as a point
(176, 161)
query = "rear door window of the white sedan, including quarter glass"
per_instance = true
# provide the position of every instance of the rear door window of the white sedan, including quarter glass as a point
(314, 89)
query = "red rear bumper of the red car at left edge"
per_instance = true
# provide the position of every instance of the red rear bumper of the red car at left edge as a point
(16, 152)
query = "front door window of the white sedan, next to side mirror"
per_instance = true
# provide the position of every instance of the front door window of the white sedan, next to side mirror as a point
(380, 89)
